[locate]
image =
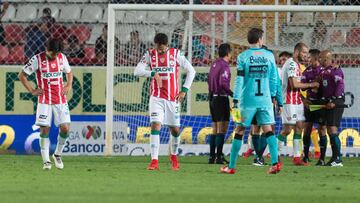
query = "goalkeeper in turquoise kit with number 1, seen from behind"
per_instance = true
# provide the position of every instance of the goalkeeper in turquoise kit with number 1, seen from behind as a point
(255, 86)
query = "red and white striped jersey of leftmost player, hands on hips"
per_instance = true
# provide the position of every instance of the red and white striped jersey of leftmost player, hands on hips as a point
(49, 76)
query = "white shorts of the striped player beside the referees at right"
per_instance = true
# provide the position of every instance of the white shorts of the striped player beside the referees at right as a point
(292, 113)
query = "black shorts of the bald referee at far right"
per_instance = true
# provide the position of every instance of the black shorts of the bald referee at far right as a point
(332, 117)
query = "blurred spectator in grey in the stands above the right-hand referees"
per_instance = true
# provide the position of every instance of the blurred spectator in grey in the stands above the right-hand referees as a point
(319, 37)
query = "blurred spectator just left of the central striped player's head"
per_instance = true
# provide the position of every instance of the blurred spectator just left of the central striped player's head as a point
(134, 49)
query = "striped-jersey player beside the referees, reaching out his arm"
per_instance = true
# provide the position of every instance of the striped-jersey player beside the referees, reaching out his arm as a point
(292, 115)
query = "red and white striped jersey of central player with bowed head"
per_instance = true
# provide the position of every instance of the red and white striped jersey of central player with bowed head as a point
(167, 66)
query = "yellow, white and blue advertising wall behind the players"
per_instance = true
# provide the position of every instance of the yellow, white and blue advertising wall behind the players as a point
(18, 135)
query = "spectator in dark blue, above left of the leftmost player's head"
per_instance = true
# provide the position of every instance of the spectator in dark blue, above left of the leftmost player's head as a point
(36, 37)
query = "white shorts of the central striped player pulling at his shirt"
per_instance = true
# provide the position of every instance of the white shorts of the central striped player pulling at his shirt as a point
(164, 112)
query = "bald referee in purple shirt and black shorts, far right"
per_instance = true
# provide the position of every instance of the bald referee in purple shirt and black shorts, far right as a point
(332, 91)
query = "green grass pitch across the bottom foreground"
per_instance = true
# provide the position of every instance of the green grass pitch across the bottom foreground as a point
(124, 179)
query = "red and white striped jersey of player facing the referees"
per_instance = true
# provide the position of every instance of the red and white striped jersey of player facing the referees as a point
(291, 69)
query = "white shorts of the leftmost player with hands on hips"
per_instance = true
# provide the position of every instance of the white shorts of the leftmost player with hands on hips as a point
(44, 114)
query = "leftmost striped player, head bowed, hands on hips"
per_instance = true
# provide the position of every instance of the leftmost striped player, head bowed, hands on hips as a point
(49, 67)
